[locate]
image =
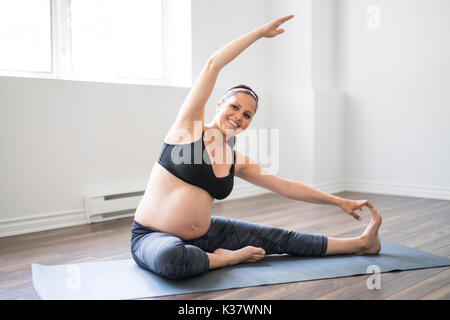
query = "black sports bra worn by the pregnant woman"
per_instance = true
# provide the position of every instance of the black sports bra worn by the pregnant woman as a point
(191, 163)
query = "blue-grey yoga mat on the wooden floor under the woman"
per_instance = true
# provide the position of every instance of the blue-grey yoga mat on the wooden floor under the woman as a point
(123, 279)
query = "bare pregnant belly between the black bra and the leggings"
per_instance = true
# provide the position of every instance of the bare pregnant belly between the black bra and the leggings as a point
(173, 206)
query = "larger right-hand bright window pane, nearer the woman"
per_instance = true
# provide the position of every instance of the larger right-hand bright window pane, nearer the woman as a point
(117, 38)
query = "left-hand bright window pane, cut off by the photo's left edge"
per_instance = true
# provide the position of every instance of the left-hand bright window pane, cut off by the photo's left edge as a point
(25, 35)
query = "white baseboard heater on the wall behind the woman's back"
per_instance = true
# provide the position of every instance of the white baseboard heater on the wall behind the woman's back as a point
(110, 207)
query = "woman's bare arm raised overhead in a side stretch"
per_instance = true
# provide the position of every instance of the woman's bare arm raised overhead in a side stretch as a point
(193, 107)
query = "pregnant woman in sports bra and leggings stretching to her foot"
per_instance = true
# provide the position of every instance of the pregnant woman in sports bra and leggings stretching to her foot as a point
(173, 232)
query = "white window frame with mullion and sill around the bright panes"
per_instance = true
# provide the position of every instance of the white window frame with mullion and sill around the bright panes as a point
(61, 51)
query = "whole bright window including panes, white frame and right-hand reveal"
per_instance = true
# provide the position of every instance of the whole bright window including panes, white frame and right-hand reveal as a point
(130, 41)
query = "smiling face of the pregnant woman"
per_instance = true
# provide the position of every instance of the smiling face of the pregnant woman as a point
(236, 113)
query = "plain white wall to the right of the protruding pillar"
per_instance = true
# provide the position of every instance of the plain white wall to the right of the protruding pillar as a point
(397, 84)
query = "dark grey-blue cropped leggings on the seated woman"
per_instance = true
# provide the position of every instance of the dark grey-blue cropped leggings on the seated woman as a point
(173, 258)
